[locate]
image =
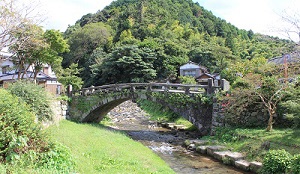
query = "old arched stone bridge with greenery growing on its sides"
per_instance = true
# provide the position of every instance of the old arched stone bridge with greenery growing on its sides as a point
(93, 103)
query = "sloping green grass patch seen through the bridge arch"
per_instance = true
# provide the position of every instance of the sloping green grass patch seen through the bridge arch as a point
(160, 113)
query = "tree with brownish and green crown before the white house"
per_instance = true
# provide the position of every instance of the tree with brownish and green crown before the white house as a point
(36, 47)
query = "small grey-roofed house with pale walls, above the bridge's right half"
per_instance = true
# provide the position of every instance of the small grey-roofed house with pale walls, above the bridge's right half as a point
(192, 69)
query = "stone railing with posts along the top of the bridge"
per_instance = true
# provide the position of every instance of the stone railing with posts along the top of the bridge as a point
(154, 87)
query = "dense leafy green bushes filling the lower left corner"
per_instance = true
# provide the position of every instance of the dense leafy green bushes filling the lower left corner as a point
(24, 147)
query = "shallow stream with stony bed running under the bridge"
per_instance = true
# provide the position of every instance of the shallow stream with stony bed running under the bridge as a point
(164, 142)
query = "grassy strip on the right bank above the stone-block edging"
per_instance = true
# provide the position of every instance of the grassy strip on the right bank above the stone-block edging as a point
(249, 141)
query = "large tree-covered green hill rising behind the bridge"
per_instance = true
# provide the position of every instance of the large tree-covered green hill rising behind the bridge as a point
(147, 40)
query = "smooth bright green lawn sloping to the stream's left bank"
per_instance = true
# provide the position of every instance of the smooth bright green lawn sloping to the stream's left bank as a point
(98, 150)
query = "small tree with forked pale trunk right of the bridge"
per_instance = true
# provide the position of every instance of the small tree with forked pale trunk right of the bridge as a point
(259, 85)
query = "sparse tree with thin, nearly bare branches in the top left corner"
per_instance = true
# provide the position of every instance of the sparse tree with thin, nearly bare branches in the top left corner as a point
(14, 16)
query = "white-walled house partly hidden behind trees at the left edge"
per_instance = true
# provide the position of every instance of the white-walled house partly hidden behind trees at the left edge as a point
(46, 78)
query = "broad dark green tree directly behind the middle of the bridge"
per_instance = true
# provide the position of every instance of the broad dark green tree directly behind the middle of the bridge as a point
(129, 64)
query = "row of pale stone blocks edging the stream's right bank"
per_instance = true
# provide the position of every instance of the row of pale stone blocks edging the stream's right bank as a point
(220, 153)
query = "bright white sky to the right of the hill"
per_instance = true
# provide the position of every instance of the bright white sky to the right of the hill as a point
(262, 16)
